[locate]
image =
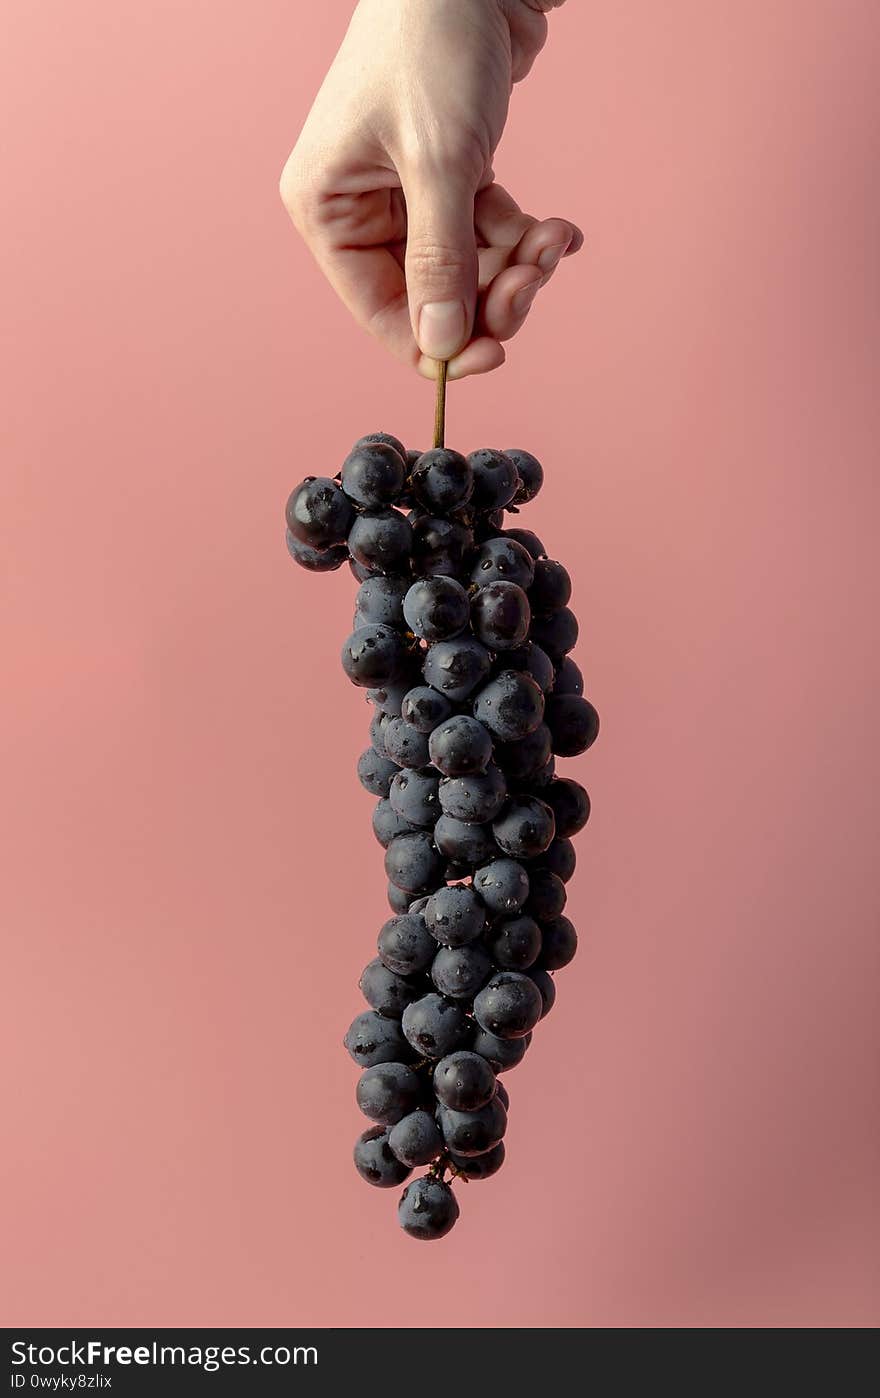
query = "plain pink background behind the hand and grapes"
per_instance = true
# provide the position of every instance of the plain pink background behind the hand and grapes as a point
(191, 886)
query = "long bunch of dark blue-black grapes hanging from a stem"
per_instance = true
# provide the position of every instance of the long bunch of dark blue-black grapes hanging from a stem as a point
(462, 638)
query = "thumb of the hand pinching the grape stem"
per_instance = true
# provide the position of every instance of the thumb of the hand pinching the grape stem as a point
(441, 261)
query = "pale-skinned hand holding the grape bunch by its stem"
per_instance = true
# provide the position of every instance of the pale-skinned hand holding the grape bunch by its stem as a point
(391, 182)
